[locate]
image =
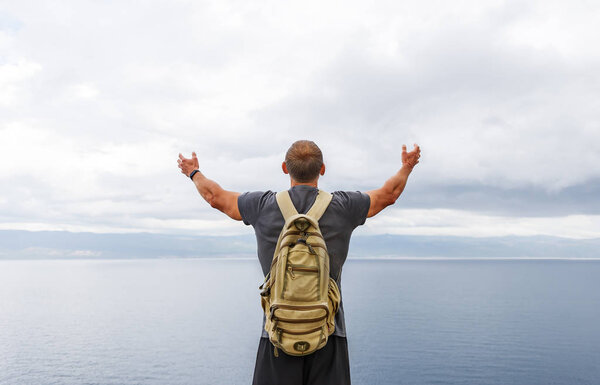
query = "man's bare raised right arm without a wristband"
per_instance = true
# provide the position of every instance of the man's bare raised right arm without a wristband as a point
(393, 187)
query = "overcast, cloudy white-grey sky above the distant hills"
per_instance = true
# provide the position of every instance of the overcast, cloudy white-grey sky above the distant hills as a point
(97, 98)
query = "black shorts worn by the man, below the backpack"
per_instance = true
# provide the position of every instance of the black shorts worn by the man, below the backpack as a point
(327, 366)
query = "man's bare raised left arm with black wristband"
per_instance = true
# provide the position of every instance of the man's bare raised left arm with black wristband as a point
(222, 200)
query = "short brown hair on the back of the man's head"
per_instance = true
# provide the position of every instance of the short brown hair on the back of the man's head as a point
(304, 160)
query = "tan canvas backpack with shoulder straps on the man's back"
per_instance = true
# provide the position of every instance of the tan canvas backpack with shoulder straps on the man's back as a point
(299, 297)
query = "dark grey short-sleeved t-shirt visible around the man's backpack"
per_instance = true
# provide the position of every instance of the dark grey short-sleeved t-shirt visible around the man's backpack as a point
(347, 210)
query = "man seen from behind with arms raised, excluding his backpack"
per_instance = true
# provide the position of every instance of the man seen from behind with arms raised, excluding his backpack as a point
(347, 210)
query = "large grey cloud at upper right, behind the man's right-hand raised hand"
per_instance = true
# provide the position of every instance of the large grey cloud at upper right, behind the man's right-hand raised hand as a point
(485, 109)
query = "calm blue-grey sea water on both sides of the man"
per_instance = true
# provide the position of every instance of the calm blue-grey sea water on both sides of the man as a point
(198, 322)
